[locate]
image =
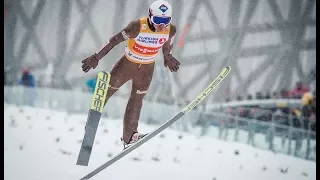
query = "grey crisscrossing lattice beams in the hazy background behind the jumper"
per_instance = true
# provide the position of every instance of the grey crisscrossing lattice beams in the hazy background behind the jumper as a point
(284, 55)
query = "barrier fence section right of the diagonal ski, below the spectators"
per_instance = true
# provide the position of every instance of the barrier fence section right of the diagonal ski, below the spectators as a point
(292, 139)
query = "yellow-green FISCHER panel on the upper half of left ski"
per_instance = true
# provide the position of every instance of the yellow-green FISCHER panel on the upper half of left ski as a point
(101, 90)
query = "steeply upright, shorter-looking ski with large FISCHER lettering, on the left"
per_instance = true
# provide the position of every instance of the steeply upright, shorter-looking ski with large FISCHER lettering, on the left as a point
(94, 114)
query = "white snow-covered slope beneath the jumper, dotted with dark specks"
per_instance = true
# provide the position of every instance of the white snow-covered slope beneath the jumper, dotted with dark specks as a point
(42, 144)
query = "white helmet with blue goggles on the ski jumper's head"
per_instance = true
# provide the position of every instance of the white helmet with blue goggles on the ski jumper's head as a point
(160, 12)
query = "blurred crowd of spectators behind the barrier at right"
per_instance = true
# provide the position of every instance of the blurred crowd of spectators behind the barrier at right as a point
(302, 116)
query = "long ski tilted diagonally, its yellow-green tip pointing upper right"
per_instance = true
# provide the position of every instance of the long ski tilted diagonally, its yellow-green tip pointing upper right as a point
(223, 74)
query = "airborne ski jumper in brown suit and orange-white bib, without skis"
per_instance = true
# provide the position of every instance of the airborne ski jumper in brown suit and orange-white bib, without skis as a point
(146, 36)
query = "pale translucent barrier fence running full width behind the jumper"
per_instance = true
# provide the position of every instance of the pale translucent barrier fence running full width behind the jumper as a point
(273, 136)
